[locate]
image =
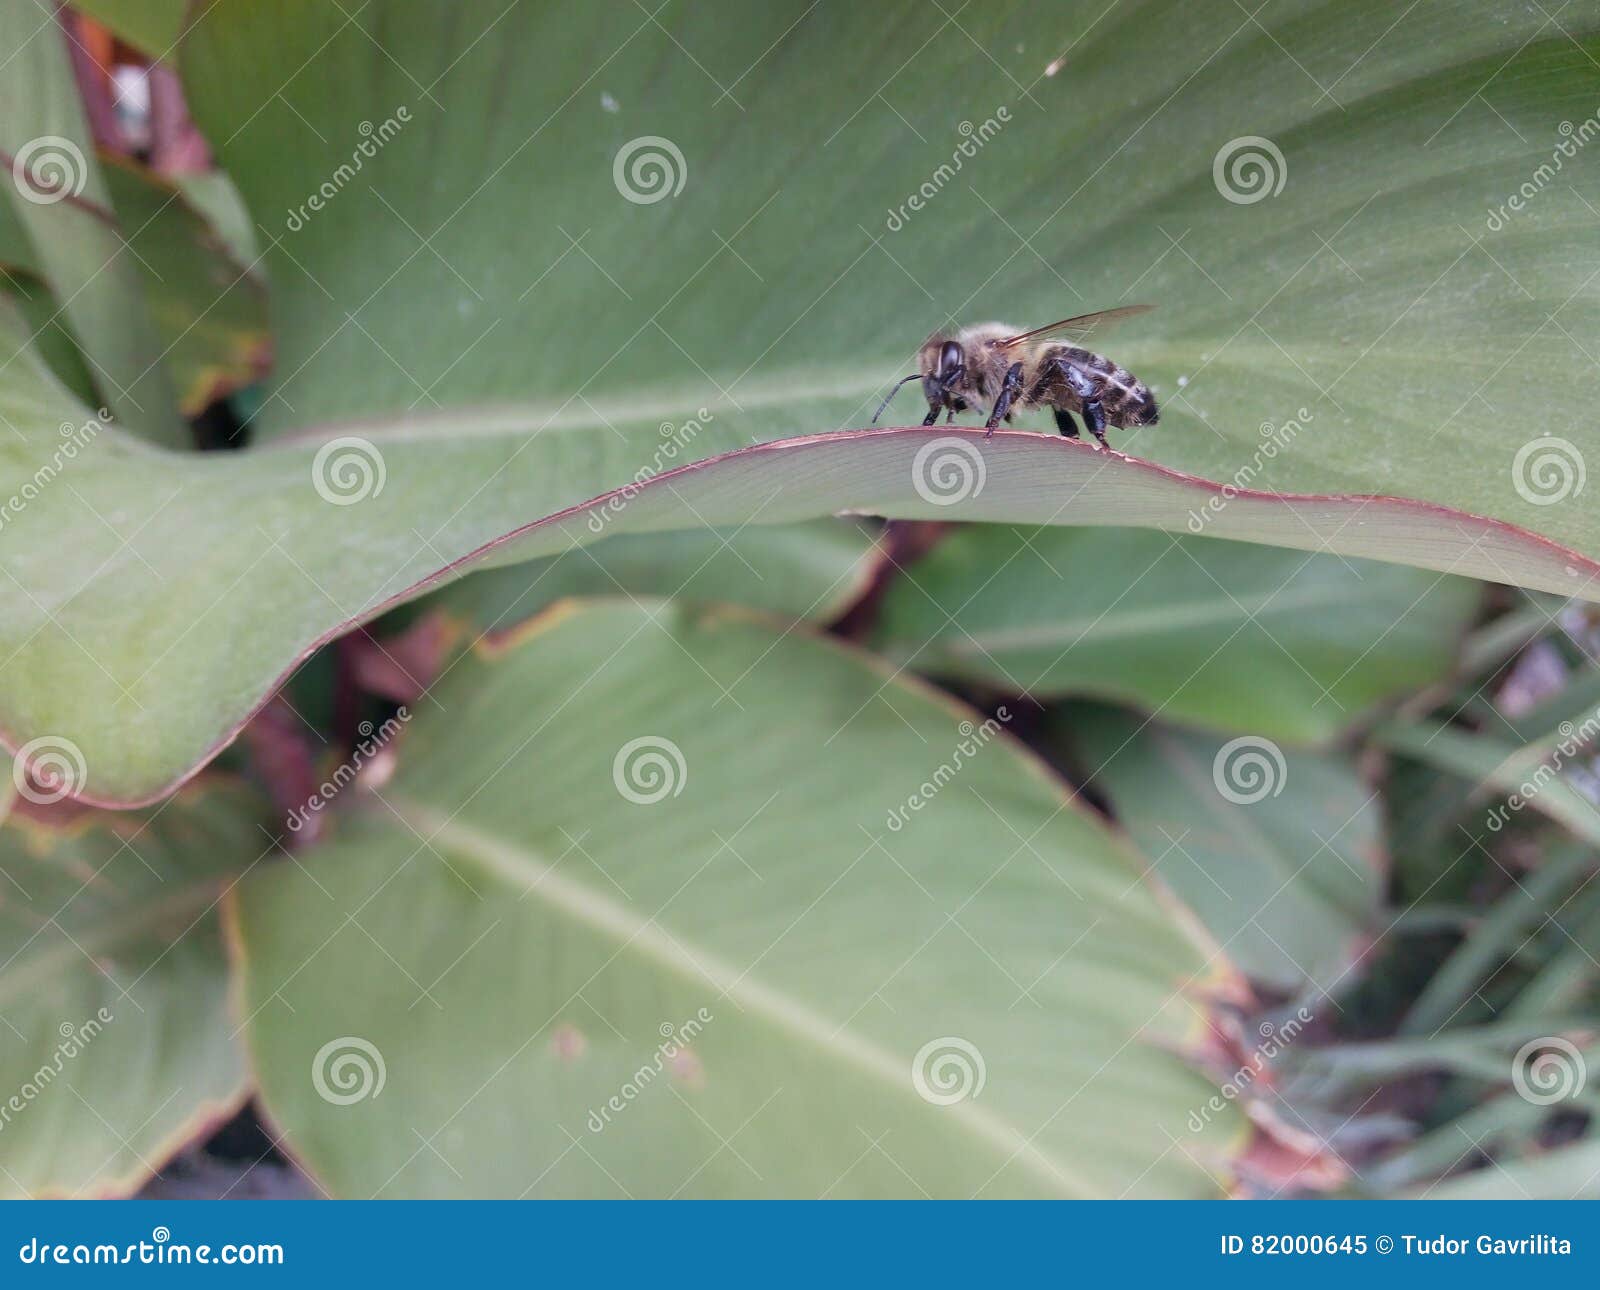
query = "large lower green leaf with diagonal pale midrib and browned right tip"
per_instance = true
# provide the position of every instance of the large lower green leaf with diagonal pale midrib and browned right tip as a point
(686, 838)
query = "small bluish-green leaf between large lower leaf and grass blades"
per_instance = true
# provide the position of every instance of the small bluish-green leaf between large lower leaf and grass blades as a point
(1279, 854)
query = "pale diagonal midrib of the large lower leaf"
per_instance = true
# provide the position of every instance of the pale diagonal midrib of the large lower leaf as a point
(537, 878)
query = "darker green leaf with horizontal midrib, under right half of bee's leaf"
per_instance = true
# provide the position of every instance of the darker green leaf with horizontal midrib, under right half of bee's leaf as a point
(1218, 635)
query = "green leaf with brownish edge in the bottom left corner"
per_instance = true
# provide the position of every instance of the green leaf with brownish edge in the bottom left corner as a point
(116, 1040)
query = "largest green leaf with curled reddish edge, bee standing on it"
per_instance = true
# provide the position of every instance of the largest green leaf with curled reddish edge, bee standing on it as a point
(433, 262)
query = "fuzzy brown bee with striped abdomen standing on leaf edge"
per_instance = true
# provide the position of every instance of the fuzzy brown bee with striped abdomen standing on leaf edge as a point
(1039, 369)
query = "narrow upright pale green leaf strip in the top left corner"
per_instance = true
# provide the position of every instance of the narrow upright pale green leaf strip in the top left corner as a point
(62, 201)
